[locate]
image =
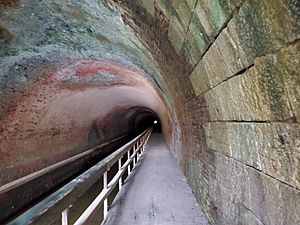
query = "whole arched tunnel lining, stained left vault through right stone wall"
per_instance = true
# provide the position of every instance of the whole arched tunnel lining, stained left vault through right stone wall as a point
(222, 77)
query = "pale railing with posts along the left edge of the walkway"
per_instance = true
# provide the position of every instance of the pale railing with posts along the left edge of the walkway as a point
(62, 199)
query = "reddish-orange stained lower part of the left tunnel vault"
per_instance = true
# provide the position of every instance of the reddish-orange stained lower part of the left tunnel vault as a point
(54, 118)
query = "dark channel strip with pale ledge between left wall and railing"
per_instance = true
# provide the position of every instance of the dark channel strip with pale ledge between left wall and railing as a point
(17, 195)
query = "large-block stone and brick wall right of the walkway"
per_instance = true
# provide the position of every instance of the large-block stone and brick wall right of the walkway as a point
(234, 81)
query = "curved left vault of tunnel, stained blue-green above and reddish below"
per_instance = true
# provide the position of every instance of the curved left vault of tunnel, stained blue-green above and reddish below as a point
(71, 72)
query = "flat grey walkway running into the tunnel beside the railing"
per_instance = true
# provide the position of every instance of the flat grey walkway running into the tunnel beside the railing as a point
(156, 192)
